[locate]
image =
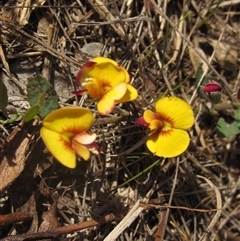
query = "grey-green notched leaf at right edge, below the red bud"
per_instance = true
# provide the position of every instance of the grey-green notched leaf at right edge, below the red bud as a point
(225, 129)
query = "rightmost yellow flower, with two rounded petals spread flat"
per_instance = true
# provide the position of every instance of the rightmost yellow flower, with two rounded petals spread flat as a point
(168, 126)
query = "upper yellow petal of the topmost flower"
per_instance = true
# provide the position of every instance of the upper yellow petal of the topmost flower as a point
(107, 72)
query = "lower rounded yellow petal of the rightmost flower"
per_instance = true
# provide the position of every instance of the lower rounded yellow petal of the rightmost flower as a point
(168, 143)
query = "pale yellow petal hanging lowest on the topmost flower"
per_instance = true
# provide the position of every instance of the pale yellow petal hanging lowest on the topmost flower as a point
(107, 102)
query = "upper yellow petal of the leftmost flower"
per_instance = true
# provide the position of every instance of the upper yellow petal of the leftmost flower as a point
(70, 121)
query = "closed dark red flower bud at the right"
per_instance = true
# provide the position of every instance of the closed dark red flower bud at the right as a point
(214, 91)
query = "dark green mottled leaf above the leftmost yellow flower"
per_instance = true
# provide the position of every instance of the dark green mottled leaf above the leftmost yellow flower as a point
(42, 93)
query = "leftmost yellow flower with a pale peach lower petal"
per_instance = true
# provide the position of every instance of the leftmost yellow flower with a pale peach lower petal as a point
(64, 133)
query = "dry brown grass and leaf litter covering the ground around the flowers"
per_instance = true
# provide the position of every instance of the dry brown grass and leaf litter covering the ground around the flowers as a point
(161, 43)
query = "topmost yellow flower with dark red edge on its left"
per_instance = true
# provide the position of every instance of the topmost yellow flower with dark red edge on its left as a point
(102, 79)
